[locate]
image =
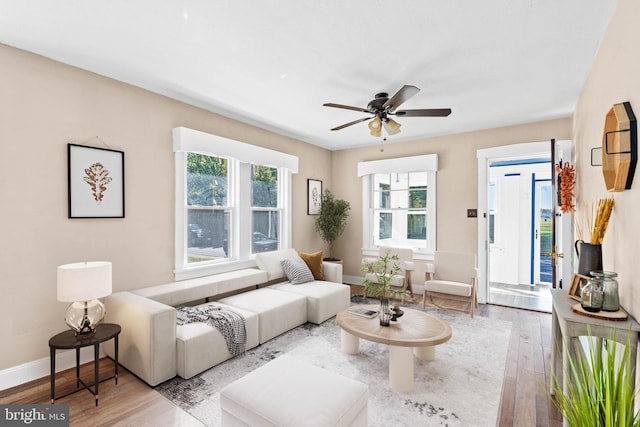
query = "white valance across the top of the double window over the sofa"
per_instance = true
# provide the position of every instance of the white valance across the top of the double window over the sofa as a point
(185, 139)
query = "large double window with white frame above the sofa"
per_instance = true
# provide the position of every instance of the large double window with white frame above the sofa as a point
(232, 201)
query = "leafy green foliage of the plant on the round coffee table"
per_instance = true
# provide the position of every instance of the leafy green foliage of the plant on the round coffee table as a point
(384, 269)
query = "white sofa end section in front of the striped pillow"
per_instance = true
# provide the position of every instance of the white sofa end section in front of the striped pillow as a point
(324, 299)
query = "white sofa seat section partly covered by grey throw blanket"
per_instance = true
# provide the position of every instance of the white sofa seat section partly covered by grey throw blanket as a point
(200, 346)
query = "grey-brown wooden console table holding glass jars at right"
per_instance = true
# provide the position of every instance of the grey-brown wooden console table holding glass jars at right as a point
(567, 326)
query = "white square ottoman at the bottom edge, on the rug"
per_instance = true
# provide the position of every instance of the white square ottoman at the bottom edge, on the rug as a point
(287, 392)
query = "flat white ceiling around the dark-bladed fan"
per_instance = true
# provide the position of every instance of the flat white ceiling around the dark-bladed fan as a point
(274, 63)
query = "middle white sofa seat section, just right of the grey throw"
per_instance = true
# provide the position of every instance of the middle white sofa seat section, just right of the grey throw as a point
(277, 311)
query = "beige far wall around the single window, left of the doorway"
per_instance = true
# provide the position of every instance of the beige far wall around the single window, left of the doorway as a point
(457, 182)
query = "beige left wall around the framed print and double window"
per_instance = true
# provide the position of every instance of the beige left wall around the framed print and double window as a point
(44, 105)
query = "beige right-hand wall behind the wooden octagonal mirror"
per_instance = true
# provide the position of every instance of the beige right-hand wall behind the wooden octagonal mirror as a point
(614, 78)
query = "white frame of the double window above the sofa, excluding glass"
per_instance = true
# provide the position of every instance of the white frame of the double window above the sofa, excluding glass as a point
(241, 156)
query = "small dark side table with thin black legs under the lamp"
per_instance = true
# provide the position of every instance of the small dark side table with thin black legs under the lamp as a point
(69, 340)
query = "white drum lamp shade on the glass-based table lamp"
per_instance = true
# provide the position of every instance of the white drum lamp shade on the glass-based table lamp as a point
(84, 281)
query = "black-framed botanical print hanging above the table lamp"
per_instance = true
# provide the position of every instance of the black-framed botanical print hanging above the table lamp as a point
(96, 182)
